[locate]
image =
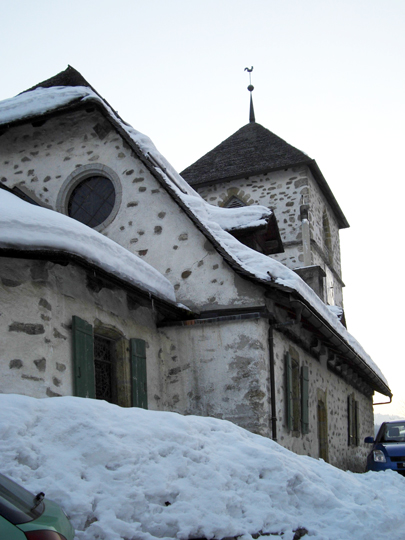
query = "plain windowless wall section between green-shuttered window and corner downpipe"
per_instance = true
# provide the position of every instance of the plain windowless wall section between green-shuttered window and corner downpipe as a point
(221, 370)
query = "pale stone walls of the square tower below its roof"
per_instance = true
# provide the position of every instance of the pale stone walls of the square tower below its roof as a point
(285, 192)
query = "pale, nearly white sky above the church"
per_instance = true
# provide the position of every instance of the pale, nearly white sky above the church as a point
(329, 78)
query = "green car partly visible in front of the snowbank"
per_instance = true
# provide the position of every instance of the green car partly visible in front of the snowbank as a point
(24, 516)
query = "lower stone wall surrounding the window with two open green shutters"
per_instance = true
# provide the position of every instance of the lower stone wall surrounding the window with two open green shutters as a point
(38, 300)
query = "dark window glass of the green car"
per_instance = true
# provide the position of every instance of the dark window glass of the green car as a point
(17, 504)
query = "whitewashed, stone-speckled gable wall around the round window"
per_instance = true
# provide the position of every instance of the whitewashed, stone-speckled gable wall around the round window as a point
(148, 222)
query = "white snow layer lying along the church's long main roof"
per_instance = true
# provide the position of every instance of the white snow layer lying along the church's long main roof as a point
(213, 221)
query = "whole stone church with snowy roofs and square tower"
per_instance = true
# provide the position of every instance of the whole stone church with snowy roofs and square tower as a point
(217, 292)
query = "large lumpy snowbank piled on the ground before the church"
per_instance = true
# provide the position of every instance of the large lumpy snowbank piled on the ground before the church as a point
(147, 475)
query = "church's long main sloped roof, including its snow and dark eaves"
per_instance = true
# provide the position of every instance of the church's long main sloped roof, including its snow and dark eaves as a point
(263, 270)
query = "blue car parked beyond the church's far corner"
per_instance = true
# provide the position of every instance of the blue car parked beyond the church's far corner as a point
(388, 450)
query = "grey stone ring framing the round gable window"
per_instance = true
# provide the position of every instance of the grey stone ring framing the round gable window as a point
(82, 173)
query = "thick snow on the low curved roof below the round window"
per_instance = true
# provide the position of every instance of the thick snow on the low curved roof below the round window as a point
(25, 226)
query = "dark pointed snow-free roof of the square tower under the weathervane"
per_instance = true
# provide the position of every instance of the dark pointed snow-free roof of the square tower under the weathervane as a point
(251, 151)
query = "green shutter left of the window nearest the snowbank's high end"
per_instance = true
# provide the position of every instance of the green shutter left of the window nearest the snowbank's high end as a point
(83, 358)
